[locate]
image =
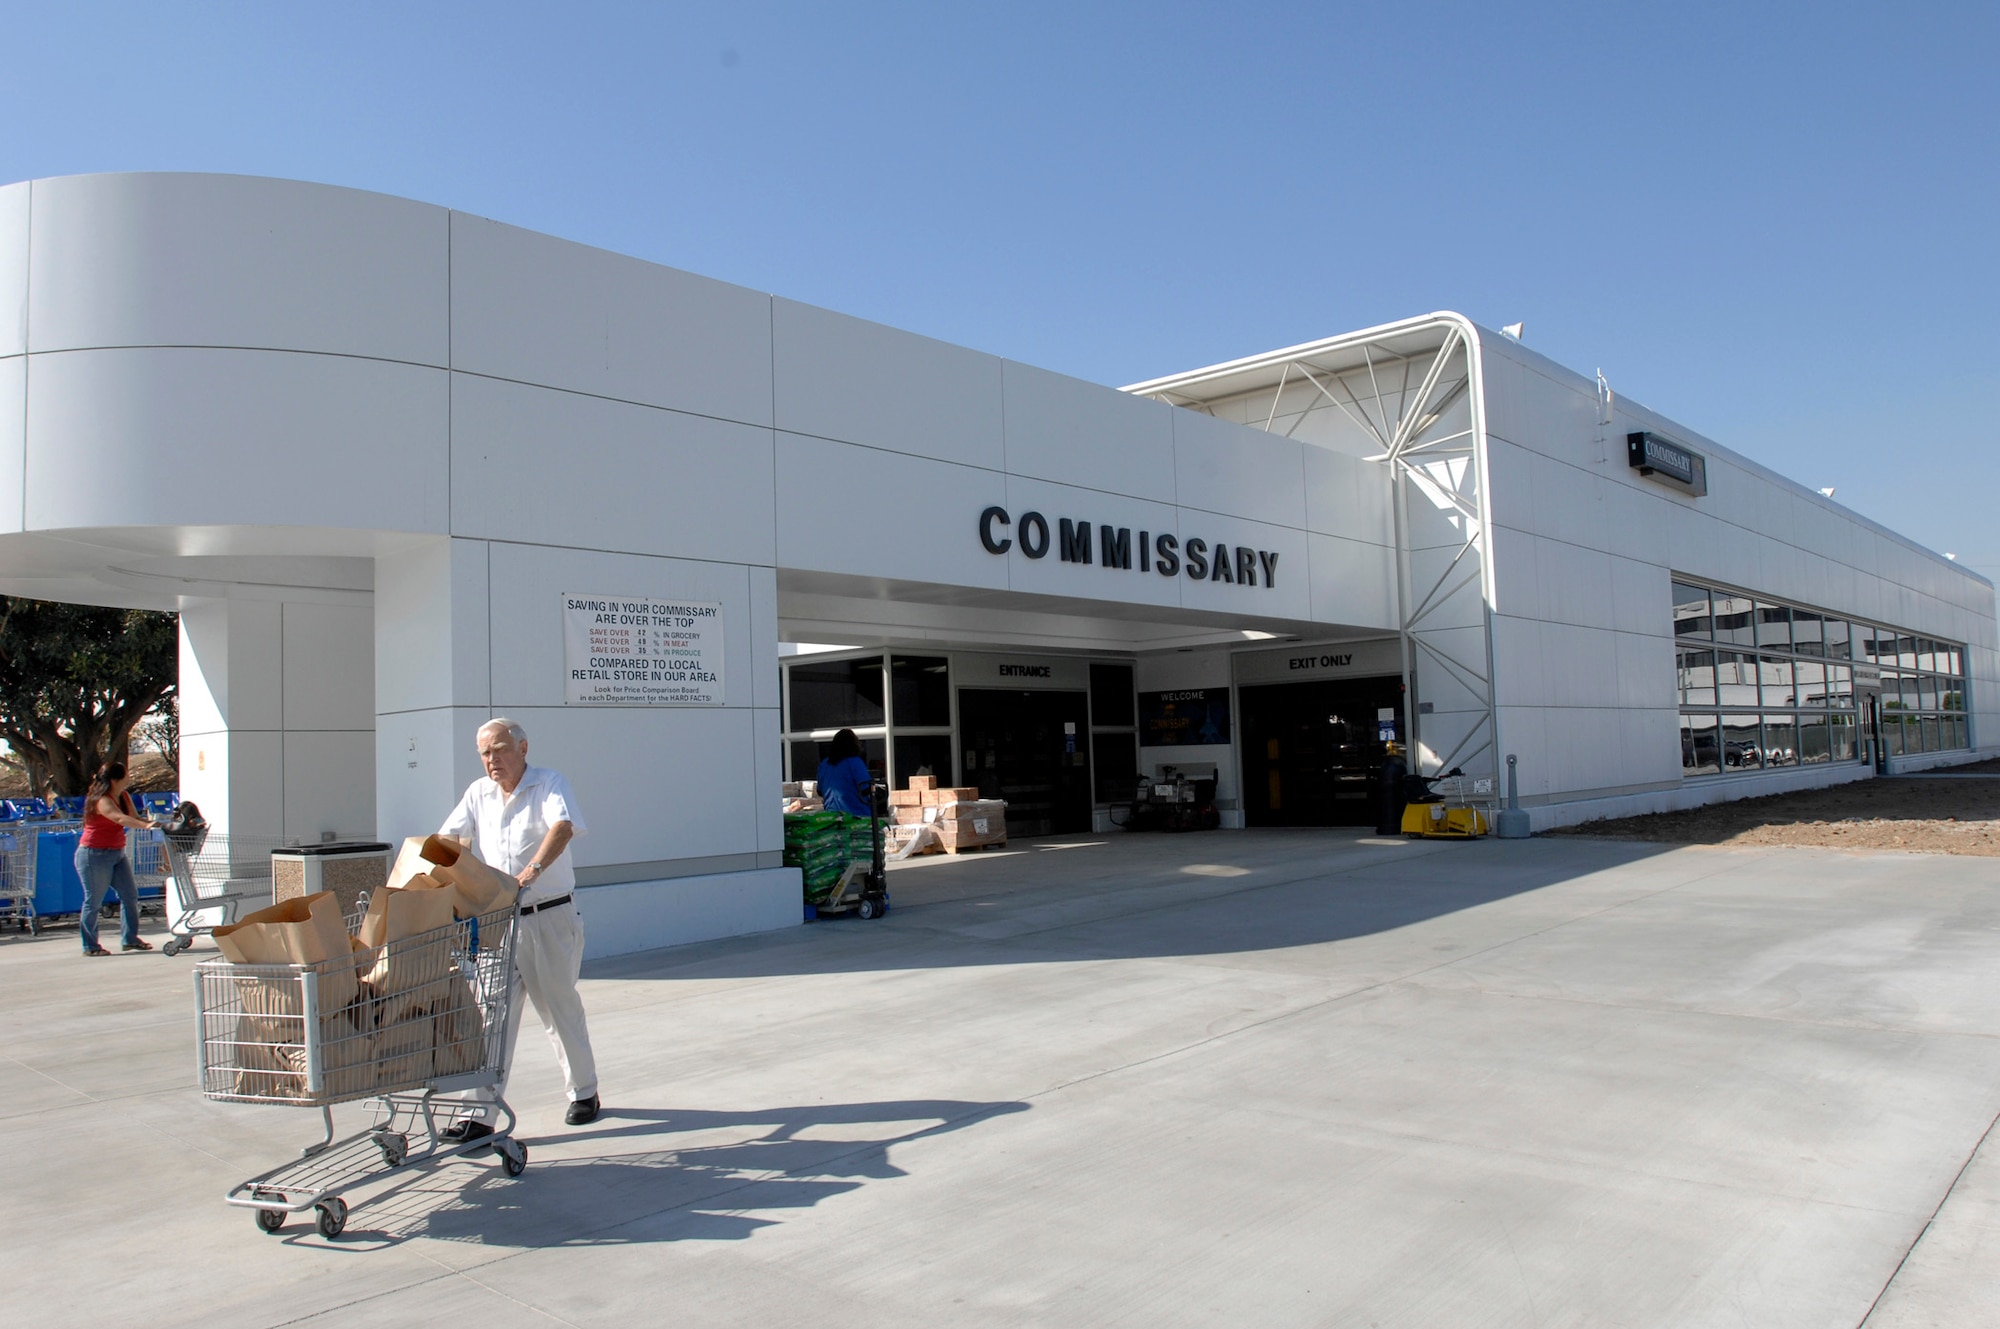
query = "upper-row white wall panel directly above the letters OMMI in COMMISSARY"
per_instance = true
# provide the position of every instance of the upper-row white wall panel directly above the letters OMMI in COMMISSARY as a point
(1087, 435)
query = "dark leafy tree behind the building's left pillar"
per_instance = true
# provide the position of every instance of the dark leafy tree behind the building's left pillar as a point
(75, 682)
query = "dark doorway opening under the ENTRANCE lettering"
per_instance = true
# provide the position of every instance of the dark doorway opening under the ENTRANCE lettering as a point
(1031, 750)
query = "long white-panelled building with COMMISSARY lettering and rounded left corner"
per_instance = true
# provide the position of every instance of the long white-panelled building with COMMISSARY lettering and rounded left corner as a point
(403, 469)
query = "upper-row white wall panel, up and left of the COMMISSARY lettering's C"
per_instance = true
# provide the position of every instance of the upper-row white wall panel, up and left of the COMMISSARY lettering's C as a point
(857, 381)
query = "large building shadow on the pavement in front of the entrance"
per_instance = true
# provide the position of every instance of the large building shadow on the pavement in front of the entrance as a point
(1137, 896)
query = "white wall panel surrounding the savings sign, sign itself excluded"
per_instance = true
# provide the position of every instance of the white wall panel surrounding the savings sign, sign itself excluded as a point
(529, 583)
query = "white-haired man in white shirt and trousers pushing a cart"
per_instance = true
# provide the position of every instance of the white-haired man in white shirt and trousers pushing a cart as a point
(521, 820)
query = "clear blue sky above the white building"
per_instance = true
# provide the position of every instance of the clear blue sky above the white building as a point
(1773, 223)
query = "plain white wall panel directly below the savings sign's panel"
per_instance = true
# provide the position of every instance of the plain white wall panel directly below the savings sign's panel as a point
(655, 782)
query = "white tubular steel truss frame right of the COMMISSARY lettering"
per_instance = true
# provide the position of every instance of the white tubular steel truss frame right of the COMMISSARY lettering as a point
(1399, 397)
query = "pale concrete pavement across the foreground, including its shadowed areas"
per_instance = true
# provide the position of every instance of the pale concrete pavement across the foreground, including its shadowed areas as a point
(1233, 1078)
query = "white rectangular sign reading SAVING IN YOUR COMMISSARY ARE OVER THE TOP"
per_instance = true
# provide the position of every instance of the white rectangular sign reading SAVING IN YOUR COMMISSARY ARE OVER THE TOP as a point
(623, 651)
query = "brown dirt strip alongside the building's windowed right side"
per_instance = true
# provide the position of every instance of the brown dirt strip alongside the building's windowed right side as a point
(1941, 814)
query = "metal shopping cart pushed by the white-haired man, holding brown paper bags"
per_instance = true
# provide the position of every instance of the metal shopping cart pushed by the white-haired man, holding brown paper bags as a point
(427, 1016)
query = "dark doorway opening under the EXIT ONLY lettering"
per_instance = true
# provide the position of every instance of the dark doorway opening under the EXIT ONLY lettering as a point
(1313, 752)
